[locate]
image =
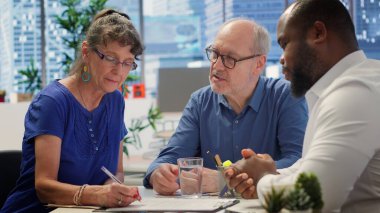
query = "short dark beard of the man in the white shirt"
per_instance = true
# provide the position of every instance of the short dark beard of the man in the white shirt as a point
(306, 71)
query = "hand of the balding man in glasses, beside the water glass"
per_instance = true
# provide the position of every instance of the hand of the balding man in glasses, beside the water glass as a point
(164, 179)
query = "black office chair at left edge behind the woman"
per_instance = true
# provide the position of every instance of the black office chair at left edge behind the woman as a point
(10, 161)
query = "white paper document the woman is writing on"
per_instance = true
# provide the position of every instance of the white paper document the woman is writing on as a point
(177, 204)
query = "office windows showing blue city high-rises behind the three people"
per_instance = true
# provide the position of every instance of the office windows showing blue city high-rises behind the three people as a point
(175, 33)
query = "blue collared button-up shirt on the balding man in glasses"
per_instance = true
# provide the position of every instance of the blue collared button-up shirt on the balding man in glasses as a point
(272, 122)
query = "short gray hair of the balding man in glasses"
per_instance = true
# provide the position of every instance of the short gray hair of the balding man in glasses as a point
(260, 37)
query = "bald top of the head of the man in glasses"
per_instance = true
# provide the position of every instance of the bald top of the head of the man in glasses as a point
(255, 36)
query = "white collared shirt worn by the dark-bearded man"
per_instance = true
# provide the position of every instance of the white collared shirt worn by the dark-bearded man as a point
(342, 138)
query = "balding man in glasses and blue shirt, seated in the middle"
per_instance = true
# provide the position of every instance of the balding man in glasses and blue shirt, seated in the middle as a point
(240, 109)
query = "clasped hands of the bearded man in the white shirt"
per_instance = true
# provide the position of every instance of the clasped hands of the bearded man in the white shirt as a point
(244, 174)
